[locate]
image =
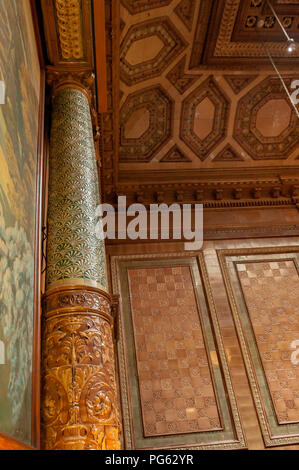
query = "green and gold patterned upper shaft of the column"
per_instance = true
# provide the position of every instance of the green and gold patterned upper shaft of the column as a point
(73, 251)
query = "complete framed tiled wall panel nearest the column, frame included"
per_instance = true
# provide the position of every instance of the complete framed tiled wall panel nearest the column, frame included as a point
(175, 382)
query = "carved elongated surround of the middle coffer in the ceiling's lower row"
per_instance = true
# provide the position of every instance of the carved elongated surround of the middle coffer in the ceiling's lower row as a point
(202, 144)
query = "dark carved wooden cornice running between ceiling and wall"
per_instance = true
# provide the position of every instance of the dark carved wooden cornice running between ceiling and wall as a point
(253, 191)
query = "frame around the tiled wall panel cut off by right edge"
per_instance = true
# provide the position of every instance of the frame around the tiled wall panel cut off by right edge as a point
(274, 435)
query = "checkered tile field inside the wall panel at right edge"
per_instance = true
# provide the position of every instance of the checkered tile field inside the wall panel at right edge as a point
(271, 295)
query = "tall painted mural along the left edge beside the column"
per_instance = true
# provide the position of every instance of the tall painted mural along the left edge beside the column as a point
(19, 69)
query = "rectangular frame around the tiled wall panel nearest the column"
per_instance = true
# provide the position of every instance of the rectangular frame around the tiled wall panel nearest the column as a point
(212, 440)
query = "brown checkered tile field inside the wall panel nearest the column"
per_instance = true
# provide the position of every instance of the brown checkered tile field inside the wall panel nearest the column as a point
(176, 390)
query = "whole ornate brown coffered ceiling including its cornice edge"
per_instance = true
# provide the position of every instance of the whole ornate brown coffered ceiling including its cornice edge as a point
(196, 111)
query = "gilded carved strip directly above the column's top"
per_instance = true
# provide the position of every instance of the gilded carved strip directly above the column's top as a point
(69, 27)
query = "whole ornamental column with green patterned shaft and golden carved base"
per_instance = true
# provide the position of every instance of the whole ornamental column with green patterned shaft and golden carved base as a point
(79, 403)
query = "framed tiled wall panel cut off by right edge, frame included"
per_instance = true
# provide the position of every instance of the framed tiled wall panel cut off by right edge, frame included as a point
(263, 289)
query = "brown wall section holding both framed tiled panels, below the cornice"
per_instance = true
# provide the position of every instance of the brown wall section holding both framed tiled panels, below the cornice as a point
(246, 299)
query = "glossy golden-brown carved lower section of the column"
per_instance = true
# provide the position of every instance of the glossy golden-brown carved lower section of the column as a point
(79, 408)
